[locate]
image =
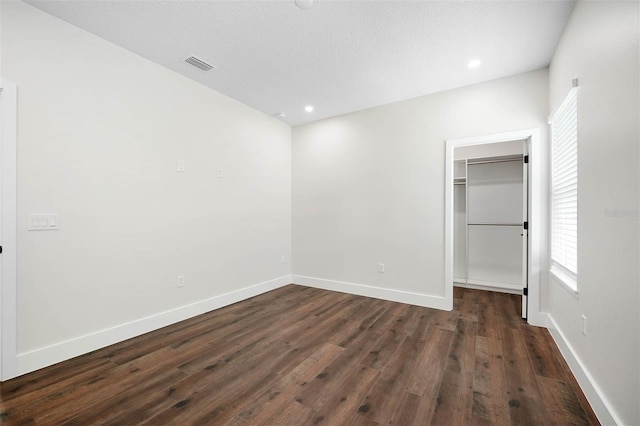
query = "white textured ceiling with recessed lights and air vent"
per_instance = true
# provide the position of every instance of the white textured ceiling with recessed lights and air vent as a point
(339, 56)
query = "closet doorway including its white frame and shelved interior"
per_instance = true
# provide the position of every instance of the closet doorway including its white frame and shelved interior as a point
(488, 251)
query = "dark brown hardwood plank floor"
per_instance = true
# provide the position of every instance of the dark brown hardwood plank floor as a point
(302, 356)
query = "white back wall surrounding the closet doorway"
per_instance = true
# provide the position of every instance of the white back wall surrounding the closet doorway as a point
(368, 187)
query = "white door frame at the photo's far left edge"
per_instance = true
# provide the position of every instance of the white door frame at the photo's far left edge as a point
(8, 231)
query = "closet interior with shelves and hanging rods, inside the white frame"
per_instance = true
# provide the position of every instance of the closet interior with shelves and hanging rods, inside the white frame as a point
(490, 218)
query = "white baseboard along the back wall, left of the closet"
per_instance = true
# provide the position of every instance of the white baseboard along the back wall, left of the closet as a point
(437, 302)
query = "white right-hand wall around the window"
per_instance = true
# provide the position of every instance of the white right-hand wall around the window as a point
(600, 48)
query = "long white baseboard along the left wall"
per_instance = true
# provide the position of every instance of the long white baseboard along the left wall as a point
(49, 355)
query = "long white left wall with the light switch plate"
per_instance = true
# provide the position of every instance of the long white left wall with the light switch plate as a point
(100, 130)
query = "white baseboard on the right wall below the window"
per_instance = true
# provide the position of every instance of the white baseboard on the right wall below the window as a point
(594, 395)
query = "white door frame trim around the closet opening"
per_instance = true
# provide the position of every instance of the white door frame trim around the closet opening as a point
(536, 233)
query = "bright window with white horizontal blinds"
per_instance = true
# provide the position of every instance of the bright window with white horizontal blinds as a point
(564, 191)
